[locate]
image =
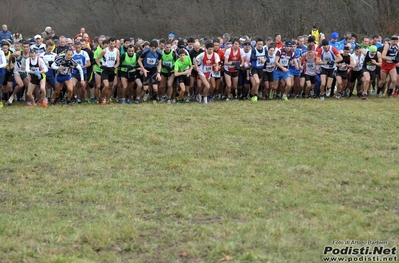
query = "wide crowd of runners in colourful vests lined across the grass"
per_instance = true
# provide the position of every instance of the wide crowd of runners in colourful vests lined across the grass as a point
(48, 69)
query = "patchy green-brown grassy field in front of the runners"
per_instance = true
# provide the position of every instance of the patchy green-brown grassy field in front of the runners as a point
(239, 182)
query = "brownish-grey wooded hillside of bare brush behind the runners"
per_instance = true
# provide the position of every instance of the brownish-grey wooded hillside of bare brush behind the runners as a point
(155, 18)
